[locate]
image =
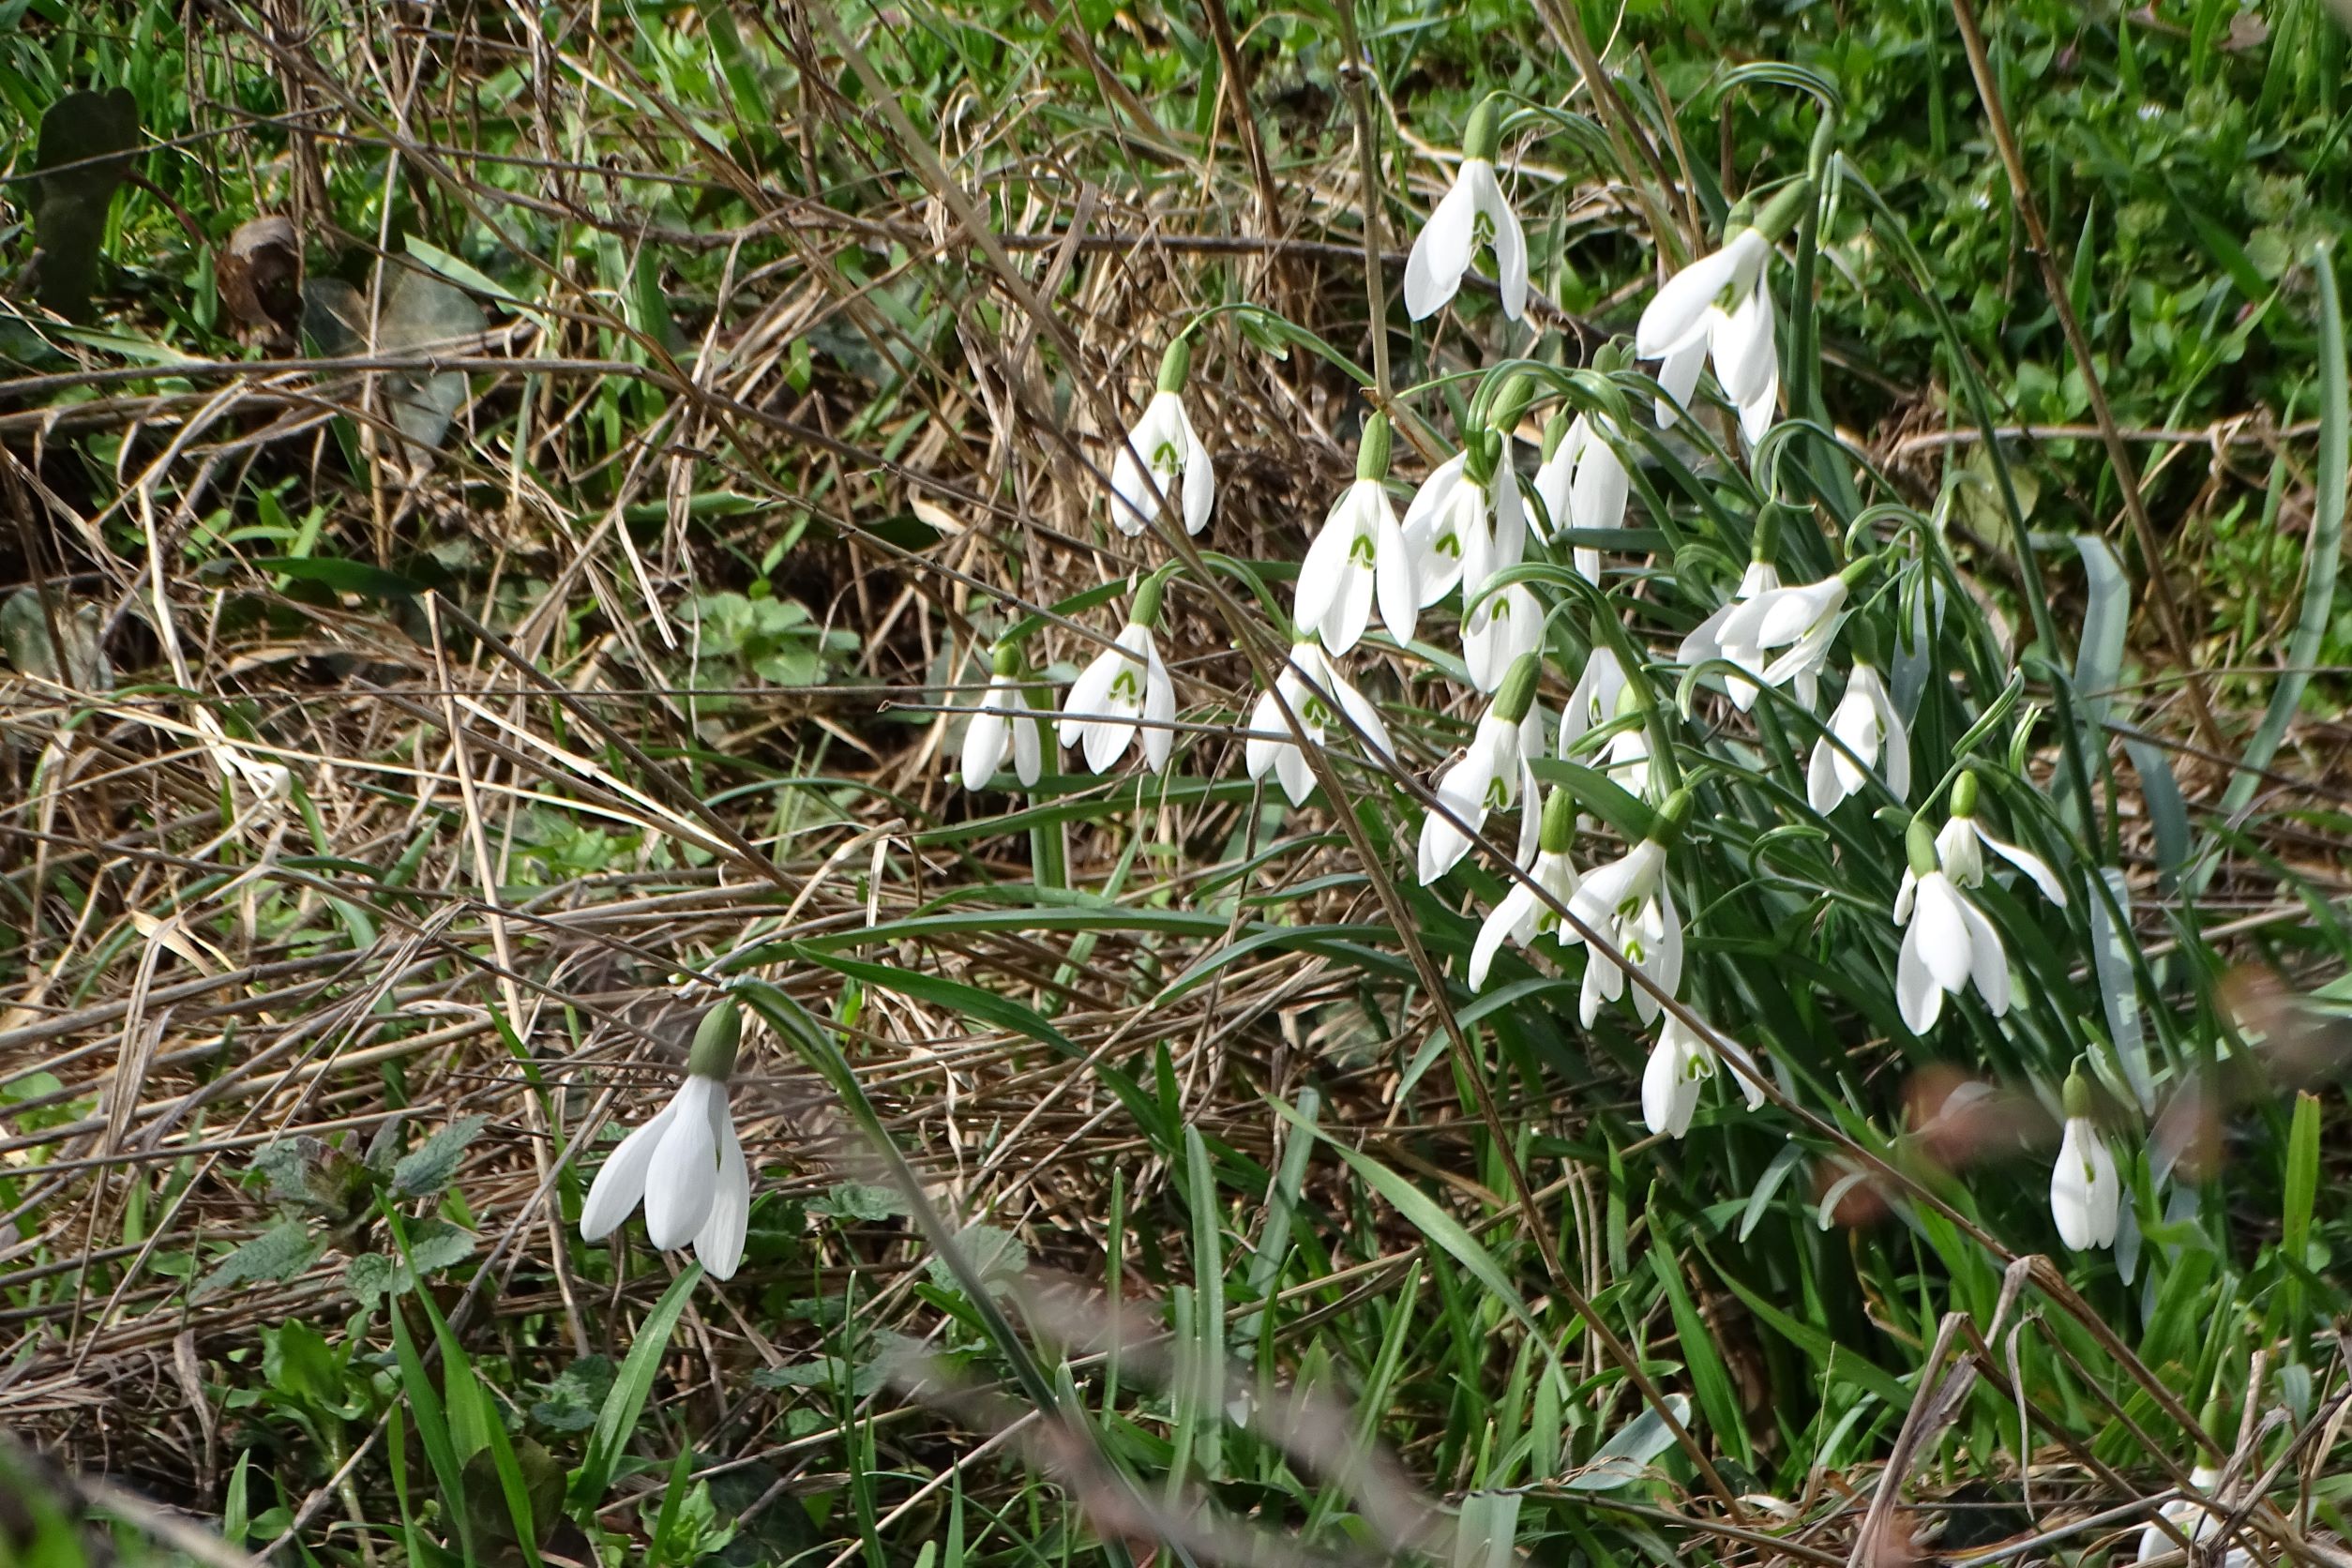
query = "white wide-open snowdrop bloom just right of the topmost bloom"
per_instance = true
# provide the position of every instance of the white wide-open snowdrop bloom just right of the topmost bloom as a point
(1720, 309)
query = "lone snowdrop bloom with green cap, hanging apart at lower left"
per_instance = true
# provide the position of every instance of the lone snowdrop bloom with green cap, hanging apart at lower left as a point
(686, 1165)
